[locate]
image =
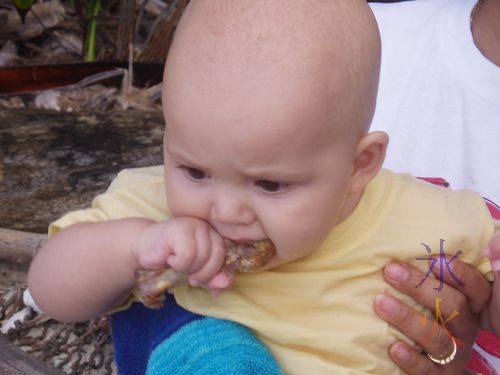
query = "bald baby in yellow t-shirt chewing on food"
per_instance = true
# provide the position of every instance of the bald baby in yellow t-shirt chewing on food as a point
(267, 107)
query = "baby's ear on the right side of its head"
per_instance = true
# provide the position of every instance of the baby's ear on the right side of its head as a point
(369, 156)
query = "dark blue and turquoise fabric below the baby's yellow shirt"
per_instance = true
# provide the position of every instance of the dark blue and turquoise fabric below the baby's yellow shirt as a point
(172, 340)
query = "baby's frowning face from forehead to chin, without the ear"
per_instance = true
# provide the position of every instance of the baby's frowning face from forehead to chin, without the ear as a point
(255, 158)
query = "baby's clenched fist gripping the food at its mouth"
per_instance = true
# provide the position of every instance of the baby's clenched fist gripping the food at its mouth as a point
(187, 245)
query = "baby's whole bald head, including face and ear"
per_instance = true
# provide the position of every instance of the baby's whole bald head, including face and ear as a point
(267, 106)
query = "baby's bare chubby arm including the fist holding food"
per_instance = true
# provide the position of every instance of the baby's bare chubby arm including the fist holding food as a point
(88, 269)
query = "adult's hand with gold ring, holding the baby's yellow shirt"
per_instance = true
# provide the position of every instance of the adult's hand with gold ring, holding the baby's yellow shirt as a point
(468, 301)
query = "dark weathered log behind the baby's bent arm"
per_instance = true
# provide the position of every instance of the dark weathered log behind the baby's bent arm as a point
(55, 162)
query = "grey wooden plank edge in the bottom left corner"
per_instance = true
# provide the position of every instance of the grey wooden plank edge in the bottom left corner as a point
(13, 361)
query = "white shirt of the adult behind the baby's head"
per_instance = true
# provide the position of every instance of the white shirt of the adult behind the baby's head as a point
(439, 97)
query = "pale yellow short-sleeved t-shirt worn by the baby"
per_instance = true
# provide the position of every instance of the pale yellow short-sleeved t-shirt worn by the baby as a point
(316, 314)
